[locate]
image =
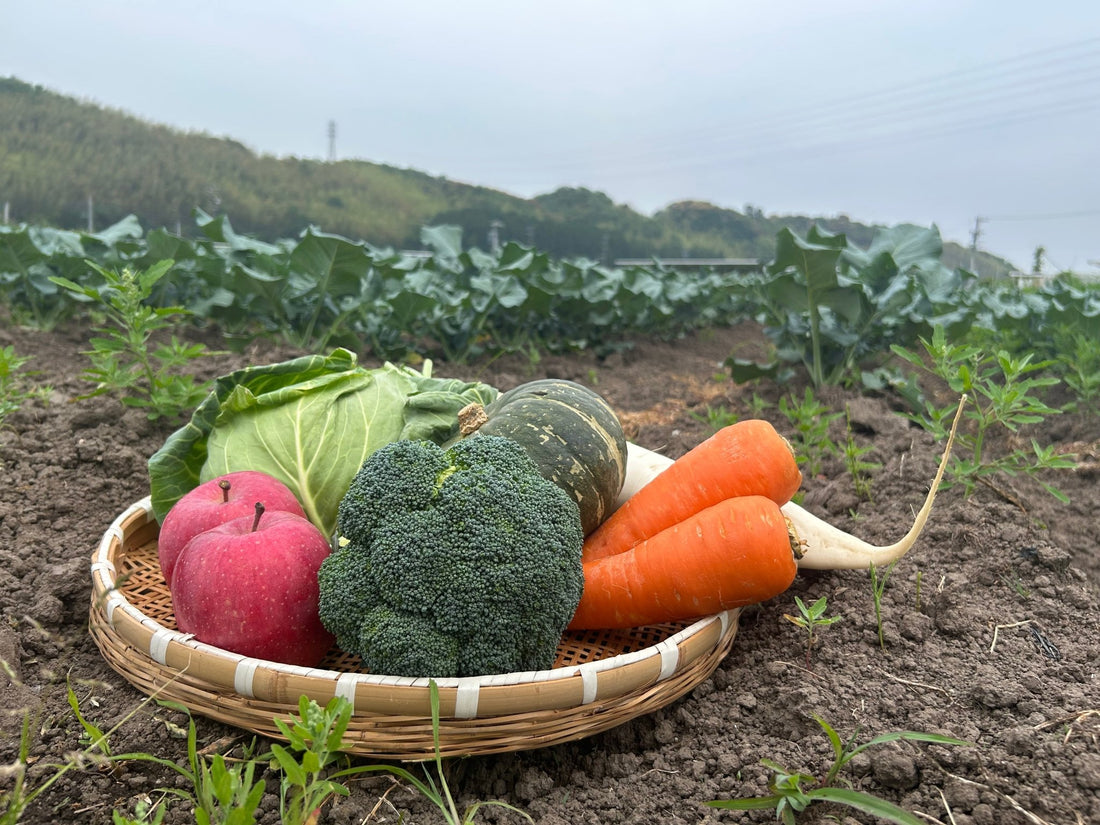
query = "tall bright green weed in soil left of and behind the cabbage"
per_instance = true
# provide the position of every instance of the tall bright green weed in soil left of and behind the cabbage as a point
(123, 362)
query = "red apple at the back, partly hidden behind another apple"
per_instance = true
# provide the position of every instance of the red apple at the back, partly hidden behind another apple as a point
(215, 503)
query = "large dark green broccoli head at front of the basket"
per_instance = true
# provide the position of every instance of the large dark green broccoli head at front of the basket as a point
(453, 563)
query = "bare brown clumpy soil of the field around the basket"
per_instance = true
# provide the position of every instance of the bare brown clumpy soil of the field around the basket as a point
(991, 626)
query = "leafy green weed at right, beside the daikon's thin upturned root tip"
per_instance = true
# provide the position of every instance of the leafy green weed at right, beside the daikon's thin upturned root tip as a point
(1005, 392)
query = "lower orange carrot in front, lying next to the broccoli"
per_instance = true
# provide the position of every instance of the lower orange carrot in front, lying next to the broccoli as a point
(730, 555)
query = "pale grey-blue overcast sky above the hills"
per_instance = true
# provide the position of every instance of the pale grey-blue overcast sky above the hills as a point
(936, 112)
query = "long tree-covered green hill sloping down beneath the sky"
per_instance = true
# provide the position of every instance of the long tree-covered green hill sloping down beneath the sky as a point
(58, 153)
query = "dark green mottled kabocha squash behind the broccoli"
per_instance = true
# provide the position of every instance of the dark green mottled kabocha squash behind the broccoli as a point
(570, 432)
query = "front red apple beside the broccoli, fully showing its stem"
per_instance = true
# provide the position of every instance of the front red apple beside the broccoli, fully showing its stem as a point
(250, 587)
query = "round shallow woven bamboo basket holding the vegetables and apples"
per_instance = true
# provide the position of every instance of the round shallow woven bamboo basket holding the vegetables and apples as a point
(600, 680)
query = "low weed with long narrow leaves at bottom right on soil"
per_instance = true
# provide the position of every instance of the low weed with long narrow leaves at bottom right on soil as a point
(789, 798)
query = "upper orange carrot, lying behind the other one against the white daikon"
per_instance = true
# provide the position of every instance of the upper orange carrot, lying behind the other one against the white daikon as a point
(747, 458)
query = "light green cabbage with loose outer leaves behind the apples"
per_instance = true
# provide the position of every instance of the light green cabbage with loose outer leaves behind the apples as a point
(311, 423)
